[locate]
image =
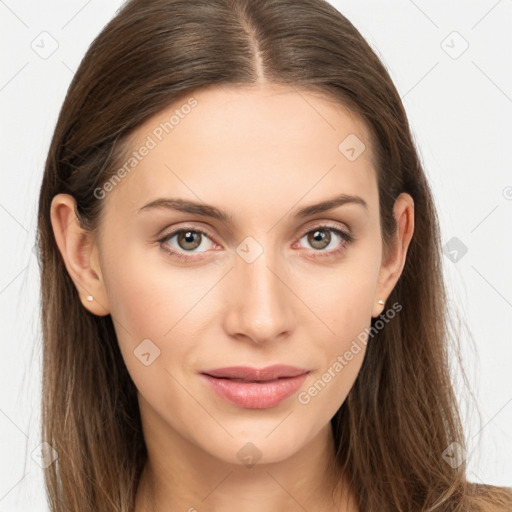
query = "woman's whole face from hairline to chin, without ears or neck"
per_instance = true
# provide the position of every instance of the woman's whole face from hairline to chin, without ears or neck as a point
(265, 285)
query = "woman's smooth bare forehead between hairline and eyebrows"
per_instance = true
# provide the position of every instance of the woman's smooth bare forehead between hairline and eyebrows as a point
(248, 146)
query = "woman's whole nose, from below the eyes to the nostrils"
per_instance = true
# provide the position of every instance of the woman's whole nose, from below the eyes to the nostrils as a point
(260, 302)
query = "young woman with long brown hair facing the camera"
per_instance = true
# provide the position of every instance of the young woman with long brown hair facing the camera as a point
(294, 355)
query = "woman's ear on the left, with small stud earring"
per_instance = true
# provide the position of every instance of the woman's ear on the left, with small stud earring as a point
(80, 254)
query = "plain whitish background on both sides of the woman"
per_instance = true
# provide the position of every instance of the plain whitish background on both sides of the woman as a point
(460, 108)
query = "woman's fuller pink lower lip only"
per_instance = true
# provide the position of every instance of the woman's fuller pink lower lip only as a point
(256, 395)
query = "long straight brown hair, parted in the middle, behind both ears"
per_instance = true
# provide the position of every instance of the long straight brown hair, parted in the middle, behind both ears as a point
(401, 414)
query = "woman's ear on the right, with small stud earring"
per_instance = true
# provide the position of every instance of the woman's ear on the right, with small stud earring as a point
(391, 269)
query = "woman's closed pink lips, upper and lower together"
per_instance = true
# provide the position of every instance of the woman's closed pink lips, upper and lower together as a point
(253, 388)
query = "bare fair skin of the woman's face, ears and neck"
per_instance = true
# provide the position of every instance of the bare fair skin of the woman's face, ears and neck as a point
(259, 153)
